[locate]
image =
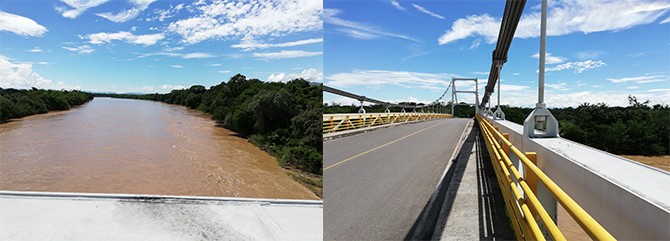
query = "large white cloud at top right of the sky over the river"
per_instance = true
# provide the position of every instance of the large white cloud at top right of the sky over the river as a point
(229, 20)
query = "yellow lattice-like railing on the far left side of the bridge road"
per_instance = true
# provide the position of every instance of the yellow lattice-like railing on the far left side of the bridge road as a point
(342, 122)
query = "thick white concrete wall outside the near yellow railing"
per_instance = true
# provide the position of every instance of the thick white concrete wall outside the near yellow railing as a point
(629, 199)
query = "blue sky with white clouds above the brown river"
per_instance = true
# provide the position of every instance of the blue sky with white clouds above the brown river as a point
(156, 46)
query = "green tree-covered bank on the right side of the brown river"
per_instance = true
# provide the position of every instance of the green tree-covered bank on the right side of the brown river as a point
(283, 118)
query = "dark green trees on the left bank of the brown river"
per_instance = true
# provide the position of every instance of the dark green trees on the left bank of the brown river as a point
(19, 103)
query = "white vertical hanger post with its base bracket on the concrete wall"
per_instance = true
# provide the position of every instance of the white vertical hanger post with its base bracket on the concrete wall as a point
(541, 119)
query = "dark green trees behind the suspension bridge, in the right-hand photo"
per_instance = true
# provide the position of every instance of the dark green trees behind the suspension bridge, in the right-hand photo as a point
(639, 129)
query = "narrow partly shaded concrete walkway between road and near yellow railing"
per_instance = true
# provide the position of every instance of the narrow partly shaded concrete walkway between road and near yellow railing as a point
(473, 208)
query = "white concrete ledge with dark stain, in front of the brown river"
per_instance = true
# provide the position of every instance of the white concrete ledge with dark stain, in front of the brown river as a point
(77, 216)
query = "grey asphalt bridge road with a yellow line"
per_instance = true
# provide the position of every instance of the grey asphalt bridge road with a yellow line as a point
(377, 183)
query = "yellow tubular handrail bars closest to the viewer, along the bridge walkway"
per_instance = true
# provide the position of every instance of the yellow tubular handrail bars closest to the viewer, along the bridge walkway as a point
(587, 223)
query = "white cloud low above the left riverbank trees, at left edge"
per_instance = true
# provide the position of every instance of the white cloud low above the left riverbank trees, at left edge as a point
(22, 76)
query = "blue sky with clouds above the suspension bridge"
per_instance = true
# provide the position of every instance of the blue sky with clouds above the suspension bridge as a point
(599, 51)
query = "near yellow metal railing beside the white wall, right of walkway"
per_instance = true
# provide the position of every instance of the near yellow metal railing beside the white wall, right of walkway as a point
(524, 209)
